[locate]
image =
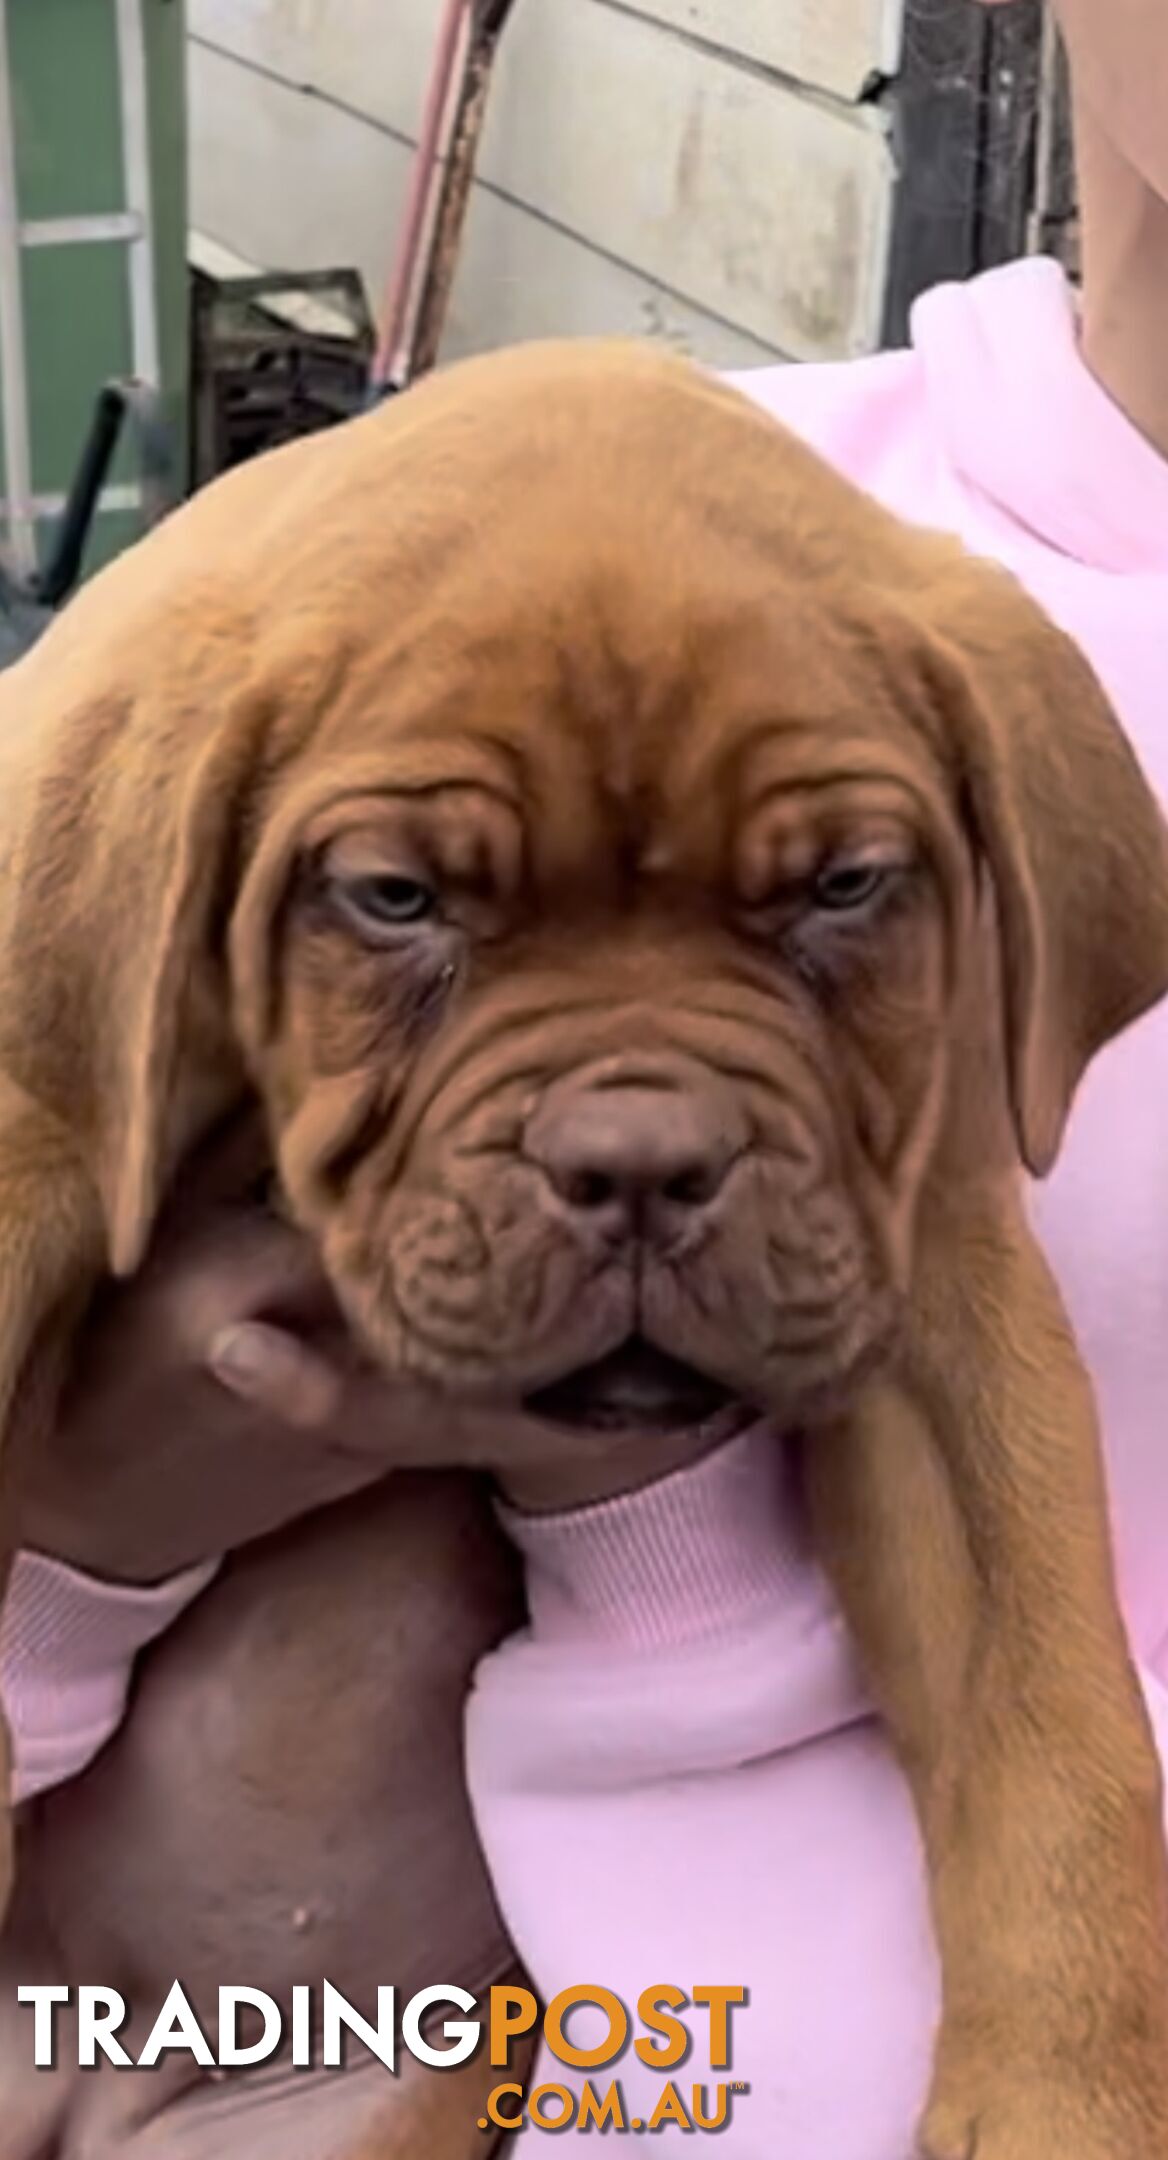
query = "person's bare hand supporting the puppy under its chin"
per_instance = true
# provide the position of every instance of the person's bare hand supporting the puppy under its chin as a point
(219, 1396)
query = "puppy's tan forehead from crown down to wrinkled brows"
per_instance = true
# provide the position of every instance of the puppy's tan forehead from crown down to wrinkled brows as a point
(625, 593)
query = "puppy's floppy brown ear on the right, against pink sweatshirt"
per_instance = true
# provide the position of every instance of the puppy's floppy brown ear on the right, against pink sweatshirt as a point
(1070, 831)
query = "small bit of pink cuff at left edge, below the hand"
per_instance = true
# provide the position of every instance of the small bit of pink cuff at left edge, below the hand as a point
(68, 1647)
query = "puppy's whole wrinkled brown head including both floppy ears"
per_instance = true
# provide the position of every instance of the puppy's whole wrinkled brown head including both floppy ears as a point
(627, 865)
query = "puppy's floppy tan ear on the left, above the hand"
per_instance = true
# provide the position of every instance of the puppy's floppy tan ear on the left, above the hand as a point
(120, 815)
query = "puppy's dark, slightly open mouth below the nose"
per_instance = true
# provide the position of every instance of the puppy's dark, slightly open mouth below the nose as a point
(634, 1390)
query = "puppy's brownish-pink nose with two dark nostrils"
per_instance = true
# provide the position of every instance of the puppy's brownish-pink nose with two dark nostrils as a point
(631, 1159)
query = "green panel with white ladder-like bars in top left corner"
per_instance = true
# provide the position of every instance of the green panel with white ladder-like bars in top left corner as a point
(92, 249)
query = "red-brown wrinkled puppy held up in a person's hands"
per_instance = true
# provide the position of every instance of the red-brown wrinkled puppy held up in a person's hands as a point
(662, 906)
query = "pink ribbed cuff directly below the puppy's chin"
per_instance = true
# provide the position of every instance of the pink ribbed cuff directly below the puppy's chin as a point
(696, 1556)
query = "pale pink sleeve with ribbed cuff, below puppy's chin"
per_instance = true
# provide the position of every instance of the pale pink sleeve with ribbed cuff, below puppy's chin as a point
(677, 1781)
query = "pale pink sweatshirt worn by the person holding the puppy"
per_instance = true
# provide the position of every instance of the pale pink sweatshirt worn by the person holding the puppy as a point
(675, 1770)
